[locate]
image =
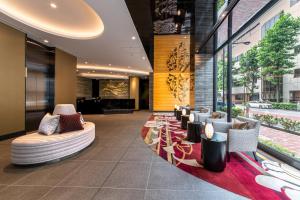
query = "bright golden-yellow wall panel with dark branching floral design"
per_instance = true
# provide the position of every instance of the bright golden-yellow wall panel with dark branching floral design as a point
(172, 77)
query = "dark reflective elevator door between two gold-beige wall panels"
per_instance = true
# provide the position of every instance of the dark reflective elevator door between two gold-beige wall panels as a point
(39, 83)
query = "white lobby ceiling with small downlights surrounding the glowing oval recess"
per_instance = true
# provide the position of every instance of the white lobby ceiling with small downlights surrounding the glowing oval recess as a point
(113, 48)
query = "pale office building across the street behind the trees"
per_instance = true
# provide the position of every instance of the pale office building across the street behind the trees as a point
(290, 87)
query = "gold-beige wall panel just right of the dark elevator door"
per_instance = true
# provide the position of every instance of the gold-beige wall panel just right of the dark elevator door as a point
(65, 77)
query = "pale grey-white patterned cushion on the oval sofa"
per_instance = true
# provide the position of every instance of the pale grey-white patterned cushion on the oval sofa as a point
(48, 124)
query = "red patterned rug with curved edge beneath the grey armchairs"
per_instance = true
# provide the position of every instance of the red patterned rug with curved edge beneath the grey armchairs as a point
(163, 134)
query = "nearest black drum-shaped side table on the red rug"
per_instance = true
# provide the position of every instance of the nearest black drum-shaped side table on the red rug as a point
(214, 152)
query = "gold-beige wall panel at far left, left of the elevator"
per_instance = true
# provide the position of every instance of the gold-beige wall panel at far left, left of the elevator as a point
(12, 80)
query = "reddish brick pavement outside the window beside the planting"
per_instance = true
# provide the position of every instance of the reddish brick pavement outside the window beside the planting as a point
(287, 140)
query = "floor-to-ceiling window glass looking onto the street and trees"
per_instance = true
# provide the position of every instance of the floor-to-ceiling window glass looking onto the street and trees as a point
(265, 70)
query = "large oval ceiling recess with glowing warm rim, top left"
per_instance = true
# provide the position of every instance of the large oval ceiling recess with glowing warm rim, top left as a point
(73, 19)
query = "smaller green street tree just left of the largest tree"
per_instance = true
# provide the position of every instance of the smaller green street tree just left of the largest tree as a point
(249, 70)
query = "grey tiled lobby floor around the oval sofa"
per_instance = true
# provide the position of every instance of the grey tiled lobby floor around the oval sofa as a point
(118, 165)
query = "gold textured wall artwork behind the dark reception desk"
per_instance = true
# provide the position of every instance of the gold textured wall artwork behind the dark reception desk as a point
(114, 89)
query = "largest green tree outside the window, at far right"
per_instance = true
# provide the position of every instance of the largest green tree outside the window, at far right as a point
(275, 50)
